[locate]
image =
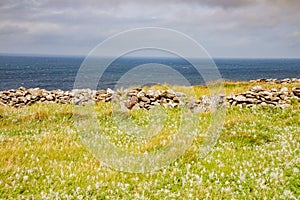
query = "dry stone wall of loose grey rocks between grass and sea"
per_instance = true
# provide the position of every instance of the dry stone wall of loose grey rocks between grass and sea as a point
(146, 99)
